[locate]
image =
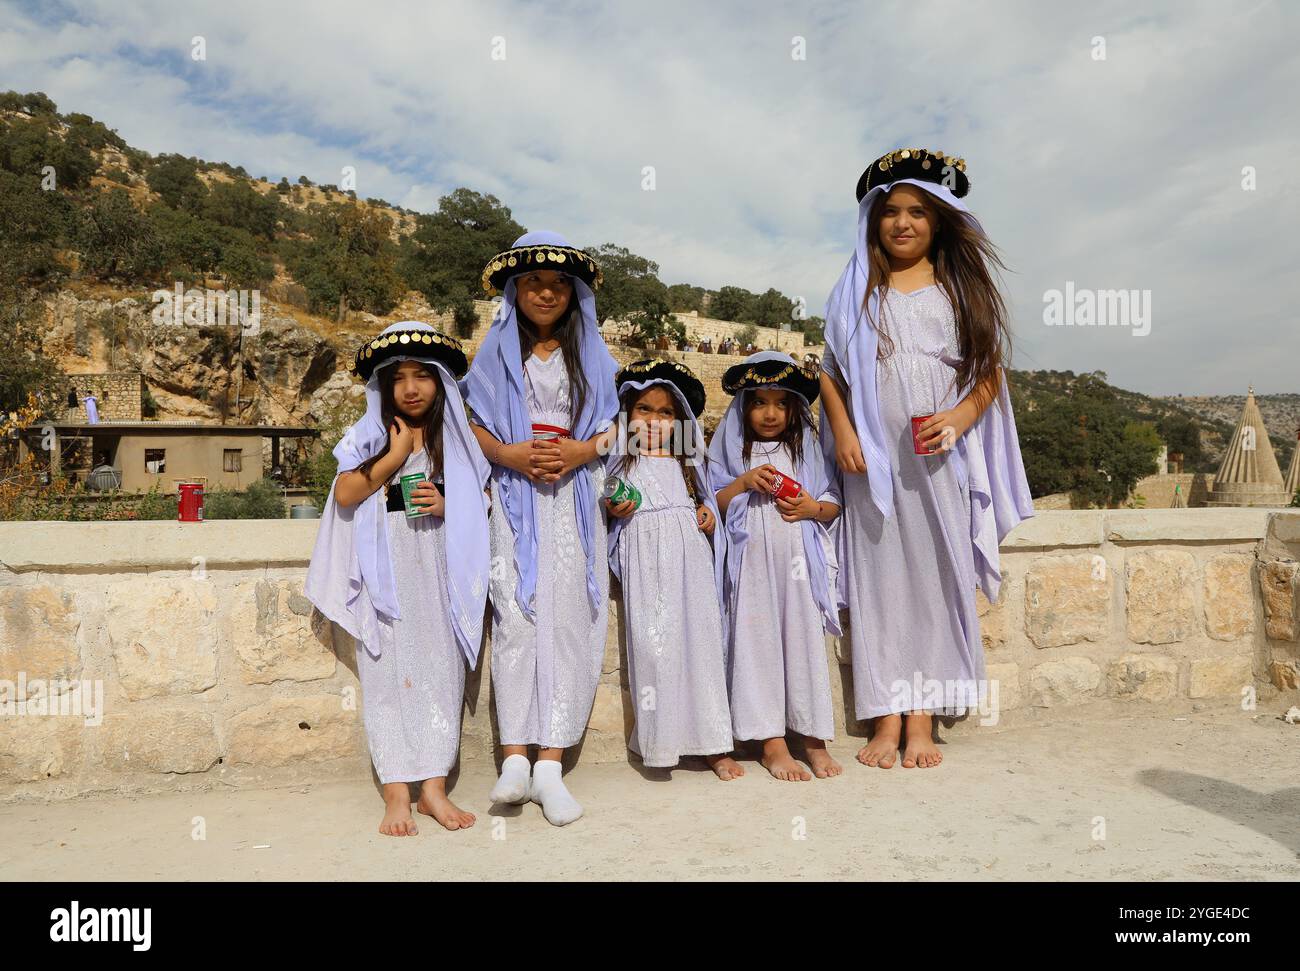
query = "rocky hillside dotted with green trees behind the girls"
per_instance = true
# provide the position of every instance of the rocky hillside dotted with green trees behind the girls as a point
(331, 268)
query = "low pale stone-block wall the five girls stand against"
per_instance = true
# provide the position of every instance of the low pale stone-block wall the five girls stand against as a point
(216, 670)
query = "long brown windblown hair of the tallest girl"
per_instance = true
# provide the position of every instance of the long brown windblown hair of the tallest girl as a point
(964, 259)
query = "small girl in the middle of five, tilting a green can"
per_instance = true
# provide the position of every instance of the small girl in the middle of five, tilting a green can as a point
(673, 579)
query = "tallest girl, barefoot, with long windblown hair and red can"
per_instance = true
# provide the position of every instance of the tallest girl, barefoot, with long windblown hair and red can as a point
(917, 328)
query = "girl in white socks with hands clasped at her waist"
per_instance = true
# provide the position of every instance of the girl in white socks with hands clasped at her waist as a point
(541, 392)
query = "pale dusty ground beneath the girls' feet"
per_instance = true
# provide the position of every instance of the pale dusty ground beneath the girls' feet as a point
(1208, 796)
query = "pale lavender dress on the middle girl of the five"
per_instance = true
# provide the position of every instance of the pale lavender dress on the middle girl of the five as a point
(674, 622)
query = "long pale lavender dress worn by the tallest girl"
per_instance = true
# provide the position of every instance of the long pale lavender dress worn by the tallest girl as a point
(911, 579)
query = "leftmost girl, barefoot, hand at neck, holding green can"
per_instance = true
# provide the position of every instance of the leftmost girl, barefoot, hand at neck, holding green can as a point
(417, 615)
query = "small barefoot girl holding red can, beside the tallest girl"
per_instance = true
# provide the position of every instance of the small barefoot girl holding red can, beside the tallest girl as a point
(781, 562)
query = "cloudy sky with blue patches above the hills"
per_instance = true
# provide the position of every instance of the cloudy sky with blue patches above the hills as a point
(1106, 142)
